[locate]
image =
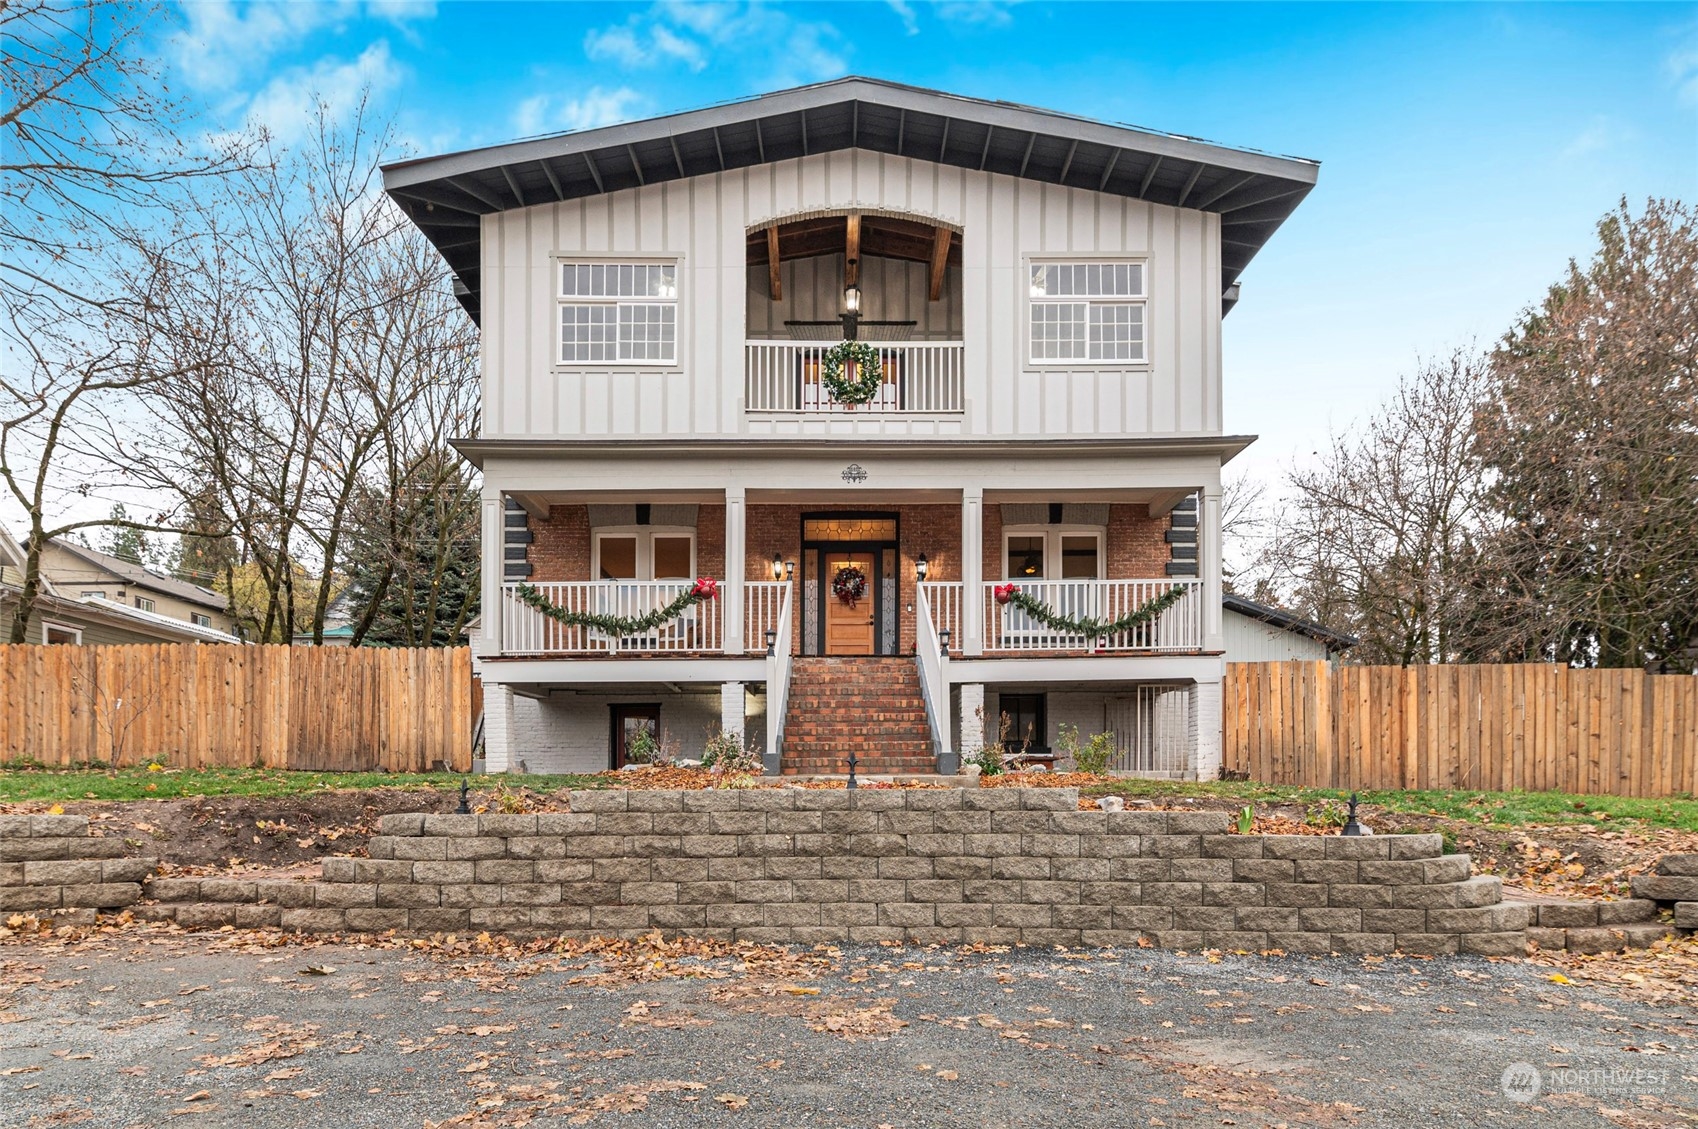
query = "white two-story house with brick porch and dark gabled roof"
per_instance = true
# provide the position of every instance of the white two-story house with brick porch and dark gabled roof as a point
(661, 310)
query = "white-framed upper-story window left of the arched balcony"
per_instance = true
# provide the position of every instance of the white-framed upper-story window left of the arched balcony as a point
(619, 313)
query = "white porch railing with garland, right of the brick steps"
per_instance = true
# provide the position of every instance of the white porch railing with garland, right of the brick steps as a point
(1176, 629)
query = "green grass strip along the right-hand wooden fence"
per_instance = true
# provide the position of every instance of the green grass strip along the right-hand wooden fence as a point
(1493, 809)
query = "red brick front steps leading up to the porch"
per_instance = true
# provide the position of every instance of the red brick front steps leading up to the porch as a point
(869, 705)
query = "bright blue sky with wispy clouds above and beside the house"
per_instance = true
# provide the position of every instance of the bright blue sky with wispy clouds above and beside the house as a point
(1468, 150)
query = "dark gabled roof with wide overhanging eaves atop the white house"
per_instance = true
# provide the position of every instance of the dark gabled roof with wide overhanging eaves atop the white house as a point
(1254, 193)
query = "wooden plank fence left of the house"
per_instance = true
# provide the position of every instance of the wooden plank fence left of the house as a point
(322, 709)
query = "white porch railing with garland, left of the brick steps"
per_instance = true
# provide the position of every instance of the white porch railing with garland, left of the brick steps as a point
(529, 632)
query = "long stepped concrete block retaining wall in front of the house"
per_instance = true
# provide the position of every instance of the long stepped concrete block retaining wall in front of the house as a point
(928, 867)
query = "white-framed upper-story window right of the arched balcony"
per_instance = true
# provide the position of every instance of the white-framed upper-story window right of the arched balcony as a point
(1088, 313)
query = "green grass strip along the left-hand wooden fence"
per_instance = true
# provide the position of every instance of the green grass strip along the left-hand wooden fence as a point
(70, 785)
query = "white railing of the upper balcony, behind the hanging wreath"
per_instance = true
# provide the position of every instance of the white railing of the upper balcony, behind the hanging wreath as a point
(916, 378)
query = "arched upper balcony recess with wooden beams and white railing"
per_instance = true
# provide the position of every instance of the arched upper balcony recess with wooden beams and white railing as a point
(891, 283)
